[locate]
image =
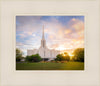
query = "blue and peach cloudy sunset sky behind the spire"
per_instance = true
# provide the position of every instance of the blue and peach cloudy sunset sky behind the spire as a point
(61, 32)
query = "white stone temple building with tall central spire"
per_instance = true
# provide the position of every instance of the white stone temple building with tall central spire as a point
(43, 51)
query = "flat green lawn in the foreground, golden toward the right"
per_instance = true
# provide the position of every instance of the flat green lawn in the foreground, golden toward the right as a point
(50, 66)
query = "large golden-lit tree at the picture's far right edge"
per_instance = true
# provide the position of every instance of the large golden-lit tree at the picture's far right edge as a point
(78, 54)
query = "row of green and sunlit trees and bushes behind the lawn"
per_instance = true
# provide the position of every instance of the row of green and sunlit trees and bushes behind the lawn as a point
(78, 55)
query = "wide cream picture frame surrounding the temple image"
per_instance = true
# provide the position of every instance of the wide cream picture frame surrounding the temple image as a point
(8, 74)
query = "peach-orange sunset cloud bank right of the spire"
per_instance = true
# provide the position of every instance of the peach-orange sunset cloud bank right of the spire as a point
(70, 37)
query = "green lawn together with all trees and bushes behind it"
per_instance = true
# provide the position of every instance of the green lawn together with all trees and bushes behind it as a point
(62, 61)
